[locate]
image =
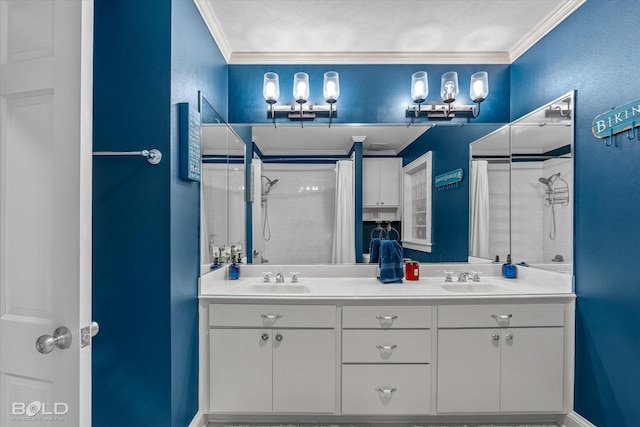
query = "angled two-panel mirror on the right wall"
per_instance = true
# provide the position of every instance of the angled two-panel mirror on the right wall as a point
(521, 189)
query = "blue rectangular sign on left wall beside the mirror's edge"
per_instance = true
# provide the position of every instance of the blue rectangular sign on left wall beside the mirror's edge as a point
(190, 140)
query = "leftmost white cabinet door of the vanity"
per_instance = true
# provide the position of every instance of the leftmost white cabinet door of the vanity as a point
(240, 370)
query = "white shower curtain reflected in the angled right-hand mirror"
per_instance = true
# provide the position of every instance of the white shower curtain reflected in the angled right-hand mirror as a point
(479, 190)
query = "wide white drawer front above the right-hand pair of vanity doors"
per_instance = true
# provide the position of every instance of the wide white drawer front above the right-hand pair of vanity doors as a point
(512, 315)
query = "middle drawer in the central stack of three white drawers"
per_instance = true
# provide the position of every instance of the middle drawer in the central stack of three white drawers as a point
(386, 346)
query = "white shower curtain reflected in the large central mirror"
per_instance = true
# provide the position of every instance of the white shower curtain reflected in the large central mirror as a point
(344, 230)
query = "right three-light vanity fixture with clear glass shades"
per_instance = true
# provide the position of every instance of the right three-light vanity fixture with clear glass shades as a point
(449, 90)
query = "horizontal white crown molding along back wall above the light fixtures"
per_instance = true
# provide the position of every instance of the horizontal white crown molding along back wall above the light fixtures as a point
(284, 58)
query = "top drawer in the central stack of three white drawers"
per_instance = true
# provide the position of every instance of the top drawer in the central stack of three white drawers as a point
(386, 317)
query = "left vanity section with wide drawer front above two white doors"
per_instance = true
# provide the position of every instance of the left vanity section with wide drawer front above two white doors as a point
(272, 358)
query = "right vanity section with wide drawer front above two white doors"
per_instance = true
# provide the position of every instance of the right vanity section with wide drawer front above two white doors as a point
(501, 358)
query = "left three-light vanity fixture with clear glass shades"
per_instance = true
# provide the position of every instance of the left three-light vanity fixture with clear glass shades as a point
(301, 108)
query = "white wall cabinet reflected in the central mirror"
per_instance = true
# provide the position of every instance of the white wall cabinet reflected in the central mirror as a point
(381, 182)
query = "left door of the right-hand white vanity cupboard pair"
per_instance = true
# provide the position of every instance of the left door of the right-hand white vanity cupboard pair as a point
(468, 370)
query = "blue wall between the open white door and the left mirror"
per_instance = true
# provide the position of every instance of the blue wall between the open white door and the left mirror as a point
(149, 55)
